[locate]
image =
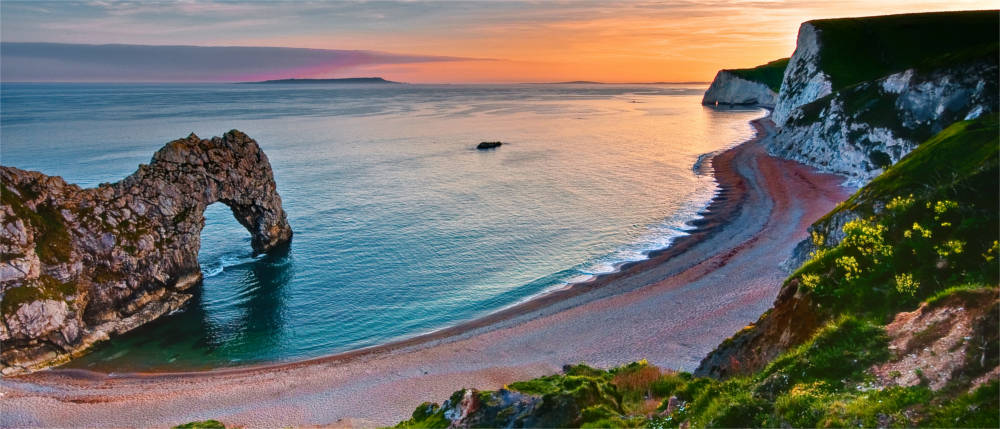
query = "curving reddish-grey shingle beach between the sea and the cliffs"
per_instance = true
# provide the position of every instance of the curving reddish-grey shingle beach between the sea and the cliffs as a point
(671, 309)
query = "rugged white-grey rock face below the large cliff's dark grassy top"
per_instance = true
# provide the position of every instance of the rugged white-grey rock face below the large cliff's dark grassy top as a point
(859, 131)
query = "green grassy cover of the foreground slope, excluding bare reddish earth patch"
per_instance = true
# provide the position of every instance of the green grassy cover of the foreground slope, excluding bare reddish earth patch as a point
(949, 186)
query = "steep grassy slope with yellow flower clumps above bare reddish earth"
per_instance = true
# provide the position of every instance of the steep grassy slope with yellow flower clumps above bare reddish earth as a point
(937, 223)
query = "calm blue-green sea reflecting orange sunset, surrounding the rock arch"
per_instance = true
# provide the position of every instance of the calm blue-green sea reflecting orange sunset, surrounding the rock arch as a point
(401, 227)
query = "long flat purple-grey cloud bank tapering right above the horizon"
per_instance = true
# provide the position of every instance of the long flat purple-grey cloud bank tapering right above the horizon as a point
(28, 61)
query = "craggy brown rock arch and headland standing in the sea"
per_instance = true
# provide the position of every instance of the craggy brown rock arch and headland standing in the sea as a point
(79, 265)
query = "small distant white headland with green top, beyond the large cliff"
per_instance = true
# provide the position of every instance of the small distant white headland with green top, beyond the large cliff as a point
(756, 86)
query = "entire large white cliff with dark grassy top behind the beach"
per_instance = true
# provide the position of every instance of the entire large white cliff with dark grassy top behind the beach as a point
(859, 94)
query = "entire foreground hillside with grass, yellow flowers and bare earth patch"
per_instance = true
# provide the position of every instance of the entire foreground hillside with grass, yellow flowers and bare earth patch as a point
(923, 256)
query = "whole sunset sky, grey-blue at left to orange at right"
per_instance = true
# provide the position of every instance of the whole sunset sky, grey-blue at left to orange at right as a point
(410, 41)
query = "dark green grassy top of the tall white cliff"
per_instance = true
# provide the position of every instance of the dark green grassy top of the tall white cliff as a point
(860, 49)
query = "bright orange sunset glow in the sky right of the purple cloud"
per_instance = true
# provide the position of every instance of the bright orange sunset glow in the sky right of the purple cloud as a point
(629, 46)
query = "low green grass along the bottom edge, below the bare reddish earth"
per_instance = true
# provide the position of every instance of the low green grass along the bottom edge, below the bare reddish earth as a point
(821, 383)
